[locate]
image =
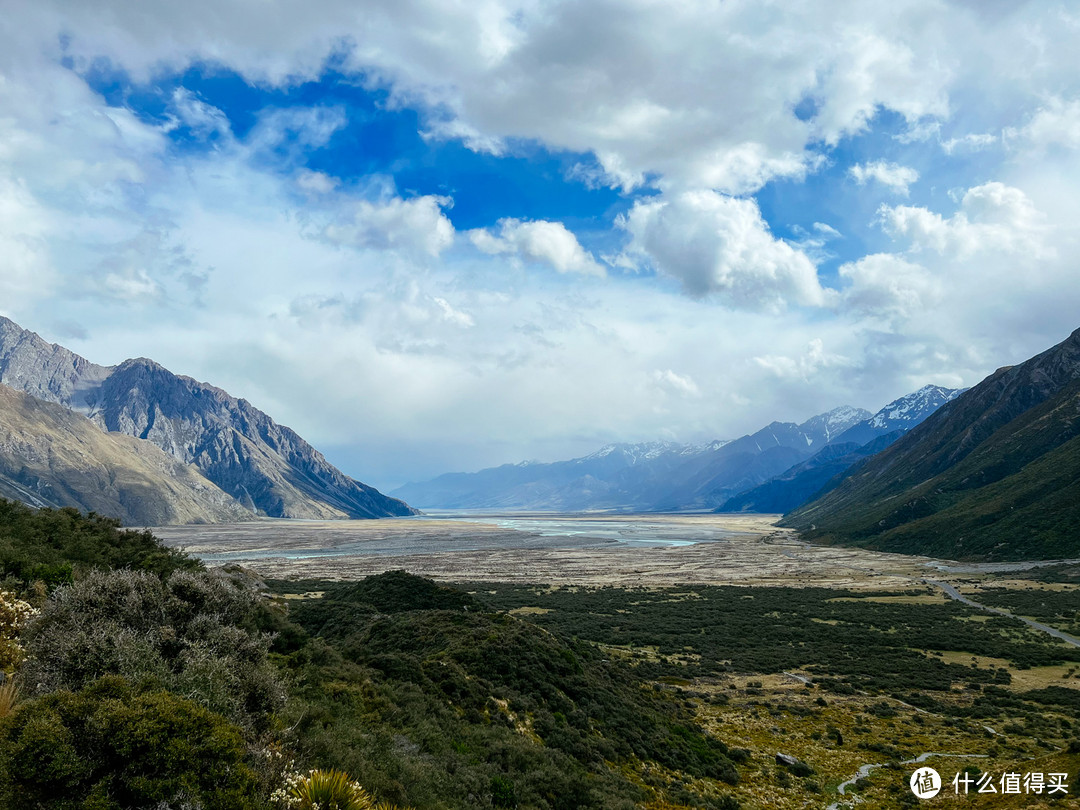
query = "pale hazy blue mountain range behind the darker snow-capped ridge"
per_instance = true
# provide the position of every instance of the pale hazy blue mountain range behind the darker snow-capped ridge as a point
(649, 477)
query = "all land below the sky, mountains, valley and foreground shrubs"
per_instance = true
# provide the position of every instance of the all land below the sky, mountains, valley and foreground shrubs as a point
(625, 630)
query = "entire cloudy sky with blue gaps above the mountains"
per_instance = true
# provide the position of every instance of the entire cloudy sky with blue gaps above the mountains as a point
(437, 236)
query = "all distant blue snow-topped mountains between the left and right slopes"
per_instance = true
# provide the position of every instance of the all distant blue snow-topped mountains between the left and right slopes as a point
(793, 462)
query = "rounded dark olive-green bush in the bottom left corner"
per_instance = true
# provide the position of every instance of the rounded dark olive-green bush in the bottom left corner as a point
(111, 748)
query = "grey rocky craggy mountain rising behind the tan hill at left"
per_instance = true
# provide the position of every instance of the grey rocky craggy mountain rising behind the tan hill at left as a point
(264, 466)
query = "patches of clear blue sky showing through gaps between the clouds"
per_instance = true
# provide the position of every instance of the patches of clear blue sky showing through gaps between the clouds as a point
(528, 181)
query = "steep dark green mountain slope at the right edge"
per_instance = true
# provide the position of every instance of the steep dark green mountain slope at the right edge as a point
(994, 475)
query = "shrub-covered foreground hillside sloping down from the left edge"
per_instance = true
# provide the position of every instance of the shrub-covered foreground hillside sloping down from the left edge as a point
(141, 680)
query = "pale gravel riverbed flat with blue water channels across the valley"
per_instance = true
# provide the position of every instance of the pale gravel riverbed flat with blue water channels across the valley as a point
(593, 549)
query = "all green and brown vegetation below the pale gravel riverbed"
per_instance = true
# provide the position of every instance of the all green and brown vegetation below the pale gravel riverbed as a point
(140, 680)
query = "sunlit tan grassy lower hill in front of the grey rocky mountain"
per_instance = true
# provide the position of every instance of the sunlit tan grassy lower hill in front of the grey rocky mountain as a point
(50, 456)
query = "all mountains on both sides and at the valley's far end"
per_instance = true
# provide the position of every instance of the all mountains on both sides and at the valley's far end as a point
(992, 472)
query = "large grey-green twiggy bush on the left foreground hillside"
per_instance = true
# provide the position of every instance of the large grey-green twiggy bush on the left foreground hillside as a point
(191, 634)
